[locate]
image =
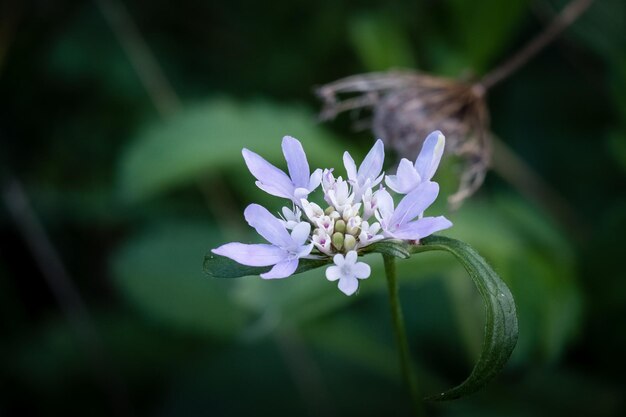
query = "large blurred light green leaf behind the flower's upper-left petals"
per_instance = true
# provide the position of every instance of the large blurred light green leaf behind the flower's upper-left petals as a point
(209, 136)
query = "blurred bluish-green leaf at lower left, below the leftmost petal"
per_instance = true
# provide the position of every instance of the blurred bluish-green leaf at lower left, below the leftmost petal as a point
(160, 272)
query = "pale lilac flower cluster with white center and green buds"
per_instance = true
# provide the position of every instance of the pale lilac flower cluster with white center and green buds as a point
(352, 216)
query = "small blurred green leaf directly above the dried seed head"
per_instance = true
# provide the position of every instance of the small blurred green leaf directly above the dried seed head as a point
(380, 42)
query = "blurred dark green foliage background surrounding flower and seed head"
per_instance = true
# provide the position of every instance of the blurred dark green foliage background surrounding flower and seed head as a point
(132, 168)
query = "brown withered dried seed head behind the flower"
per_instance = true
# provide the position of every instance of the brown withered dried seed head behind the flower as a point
(406, 106)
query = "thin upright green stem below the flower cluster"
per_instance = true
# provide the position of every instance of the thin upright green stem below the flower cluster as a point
(400, 332)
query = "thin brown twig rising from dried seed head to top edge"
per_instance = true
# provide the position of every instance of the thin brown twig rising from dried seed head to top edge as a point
(567, 16)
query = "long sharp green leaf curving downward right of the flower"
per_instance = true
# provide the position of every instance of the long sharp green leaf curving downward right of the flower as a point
(501, 318)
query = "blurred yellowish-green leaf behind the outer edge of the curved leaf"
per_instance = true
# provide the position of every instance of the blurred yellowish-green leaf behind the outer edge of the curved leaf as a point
(536, 262)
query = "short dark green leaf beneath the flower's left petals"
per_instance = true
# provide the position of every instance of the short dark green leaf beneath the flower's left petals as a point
(222, 267)
